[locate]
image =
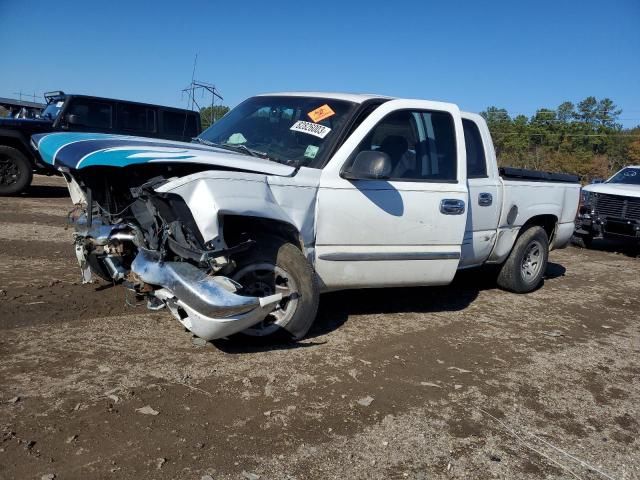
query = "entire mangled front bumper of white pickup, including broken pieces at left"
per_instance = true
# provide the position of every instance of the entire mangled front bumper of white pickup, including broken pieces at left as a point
(209, 306)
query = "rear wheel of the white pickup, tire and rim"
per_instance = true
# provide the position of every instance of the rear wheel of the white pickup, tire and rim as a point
(525, 267)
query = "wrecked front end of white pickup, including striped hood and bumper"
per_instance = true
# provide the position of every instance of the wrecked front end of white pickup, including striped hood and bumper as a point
(127, 232)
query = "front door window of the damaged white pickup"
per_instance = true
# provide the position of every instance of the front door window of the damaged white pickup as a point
(421, 144)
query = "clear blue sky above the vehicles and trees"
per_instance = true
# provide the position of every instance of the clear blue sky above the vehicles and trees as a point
(520, 55)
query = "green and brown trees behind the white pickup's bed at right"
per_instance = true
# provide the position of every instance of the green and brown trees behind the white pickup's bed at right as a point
(584, 138)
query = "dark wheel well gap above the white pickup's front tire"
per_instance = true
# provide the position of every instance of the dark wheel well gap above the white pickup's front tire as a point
(234, 226)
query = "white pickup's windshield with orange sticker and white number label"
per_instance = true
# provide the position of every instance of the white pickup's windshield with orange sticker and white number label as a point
(292, 130)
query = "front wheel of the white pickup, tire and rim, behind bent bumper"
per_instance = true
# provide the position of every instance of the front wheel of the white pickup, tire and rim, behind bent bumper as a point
(288, 263)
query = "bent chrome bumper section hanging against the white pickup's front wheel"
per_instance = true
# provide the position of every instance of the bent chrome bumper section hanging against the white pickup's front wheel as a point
(206, 305)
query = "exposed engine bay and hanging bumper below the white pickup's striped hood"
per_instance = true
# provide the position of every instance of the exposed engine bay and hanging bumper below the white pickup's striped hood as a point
(127, 232)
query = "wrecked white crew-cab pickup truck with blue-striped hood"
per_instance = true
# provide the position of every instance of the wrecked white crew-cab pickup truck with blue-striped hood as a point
(294, 194)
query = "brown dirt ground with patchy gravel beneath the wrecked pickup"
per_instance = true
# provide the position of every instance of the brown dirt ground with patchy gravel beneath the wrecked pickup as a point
(464, 381)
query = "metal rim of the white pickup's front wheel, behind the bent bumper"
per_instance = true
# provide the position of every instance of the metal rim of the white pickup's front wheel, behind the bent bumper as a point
(261, 280)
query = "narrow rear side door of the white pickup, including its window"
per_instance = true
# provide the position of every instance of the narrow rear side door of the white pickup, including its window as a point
(485, 194)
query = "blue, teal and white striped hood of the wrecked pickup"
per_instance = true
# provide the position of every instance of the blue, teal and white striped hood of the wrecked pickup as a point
(81, 150)
